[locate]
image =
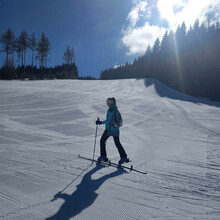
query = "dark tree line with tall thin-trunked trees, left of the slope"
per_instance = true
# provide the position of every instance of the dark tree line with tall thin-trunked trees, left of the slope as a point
(40, 49)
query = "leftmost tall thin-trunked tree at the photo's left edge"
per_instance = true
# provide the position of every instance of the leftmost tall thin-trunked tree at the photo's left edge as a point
(7, 41)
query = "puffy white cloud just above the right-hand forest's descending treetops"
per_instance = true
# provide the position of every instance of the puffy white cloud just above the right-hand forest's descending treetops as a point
(137, 39)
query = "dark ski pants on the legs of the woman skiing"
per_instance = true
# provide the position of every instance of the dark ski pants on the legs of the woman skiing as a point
(103, 140)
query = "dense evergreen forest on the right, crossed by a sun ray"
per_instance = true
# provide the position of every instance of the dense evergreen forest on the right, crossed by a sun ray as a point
(186, 60)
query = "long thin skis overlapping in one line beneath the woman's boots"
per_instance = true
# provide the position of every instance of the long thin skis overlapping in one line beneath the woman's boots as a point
(109, 163)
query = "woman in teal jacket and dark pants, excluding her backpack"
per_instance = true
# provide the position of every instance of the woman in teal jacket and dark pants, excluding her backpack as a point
(111, 130)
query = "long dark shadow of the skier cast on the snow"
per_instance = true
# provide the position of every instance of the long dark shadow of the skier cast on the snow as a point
(84, 195)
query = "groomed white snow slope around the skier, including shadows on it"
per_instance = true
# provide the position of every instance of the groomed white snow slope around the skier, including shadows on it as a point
(44, 125)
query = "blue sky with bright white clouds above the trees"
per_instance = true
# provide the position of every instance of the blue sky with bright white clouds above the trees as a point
(103, 33)
